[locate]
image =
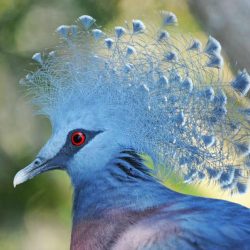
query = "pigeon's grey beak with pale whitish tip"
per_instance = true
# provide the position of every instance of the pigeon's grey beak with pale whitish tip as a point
(38, 166)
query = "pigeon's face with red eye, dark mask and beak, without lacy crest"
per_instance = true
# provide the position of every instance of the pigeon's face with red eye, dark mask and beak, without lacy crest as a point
(79, 144)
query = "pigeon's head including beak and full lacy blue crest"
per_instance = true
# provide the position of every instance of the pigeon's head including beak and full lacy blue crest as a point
(104, 92)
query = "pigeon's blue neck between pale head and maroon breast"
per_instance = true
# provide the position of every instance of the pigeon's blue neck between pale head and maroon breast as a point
(125, 185)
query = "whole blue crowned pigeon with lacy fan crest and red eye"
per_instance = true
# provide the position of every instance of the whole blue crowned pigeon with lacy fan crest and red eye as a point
(113, 98)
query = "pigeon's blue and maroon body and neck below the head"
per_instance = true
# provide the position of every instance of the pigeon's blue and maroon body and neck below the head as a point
(137, 212)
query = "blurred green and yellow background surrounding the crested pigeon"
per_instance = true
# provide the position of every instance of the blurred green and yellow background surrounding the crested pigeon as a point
(37, 214)
